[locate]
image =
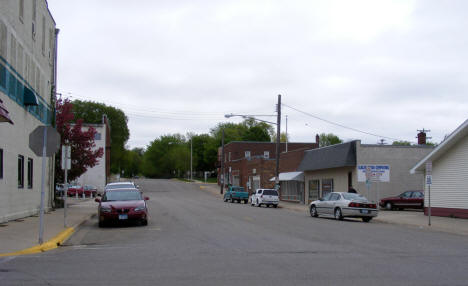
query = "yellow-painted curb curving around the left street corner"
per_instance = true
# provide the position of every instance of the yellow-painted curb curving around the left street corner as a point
(52, 243)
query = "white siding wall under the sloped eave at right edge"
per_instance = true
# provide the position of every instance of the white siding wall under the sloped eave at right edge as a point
(450, 178)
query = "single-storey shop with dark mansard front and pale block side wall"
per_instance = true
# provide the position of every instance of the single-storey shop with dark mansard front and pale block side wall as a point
(335, 169)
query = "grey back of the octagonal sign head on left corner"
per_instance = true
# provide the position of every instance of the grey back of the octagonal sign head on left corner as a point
(36, 140)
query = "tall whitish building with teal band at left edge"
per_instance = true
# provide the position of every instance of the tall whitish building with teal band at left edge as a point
(27, 82)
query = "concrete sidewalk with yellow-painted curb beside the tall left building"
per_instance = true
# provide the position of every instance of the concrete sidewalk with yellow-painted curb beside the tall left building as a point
(21, 236)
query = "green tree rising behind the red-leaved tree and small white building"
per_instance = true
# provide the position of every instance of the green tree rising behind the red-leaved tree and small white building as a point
(92, 112)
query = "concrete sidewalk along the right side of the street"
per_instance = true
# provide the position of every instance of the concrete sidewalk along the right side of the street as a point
(412, 218)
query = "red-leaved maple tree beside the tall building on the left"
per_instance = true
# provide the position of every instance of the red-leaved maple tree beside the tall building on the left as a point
(83, 153)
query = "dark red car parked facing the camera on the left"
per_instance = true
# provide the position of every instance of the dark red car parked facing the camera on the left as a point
(122, 205)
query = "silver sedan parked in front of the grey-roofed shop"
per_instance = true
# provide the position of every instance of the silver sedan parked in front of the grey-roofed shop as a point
(342, 205)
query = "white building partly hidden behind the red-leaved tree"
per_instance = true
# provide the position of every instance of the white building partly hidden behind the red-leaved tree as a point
(97, 176)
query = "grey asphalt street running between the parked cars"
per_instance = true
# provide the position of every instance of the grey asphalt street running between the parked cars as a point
(194, 238)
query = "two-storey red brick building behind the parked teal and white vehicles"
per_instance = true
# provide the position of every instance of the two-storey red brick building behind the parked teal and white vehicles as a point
(253, 164)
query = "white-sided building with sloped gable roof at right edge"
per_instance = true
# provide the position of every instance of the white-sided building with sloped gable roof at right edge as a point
(449, 189)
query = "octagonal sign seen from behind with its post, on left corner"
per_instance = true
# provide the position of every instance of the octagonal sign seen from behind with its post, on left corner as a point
(43, 141)
